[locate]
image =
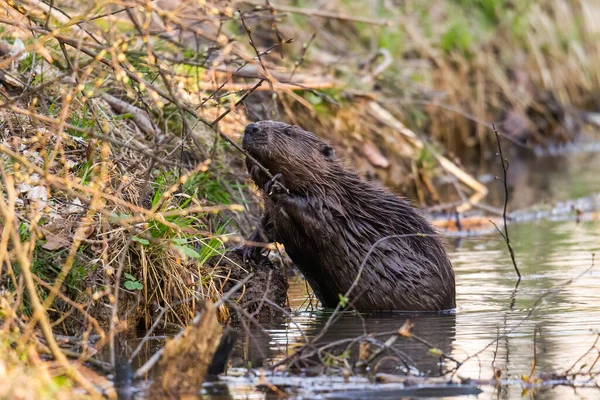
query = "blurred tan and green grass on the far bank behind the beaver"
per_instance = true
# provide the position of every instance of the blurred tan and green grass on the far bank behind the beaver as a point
(452, 68)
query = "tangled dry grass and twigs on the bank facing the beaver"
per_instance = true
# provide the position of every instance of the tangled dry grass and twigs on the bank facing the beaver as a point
(111, 206)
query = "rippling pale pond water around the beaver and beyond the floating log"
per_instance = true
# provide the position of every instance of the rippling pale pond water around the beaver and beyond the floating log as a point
(558, 298)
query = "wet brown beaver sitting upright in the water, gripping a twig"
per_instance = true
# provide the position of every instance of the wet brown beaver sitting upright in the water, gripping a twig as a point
(333, 225)
